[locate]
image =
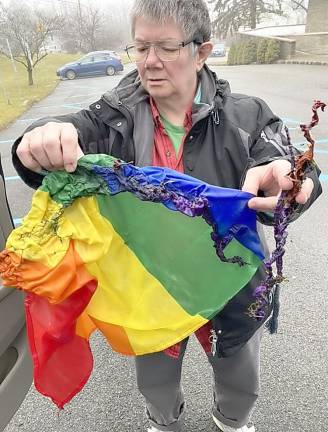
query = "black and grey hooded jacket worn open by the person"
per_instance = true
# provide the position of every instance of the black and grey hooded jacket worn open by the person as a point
(230, 134)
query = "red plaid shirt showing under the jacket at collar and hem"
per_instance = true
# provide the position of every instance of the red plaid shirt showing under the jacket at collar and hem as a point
(164, 155)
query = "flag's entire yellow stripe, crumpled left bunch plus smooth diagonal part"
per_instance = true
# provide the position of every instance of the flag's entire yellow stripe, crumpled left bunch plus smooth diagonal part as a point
(127, 294)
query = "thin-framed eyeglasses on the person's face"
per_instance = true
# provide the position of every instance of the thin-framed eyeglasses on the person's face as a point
(166, 51)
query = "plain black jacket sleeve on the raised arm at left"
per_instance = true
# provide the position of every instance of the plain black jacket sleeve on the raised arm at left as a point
(93, 137)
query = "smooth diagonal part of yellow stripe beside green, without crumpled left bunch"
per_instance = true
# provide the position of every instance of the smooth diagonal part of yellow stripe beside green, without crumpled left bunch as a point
(127, 294)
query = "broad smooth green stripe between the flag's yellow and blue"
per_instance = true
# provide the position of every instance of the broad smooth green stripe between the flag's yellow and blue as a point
(179, 252)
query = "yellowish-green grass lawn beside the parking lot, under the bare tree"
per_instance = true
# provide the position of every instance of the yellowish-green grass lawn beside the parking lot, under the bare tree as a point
(16, 96)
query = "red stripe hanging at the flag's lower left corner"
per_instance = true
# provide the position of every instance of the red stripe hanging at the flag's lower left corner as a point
(62, 360)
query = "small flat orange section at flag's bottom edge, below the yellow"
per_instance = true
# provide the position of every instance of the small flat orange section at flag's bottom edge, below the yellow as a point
(116, 337)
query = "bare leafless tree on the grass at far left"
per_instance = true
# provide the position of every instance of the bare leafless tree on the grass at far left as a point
(27, 29)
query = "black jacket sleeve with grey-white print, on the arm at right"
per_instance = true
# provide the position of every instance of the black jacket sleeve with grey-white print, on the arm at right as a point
(269, 143)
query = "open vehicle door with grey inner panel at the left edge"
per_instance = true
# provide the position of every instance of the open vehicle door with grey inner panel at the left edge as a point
(15, 362)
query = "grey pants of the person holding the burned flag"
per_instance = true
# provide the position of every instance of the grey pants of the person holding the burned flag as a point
(236, 386)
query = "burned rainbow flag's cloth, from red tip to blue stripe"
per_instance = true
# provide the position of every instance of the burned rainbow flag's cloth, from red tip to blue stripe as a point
(145, 255)
